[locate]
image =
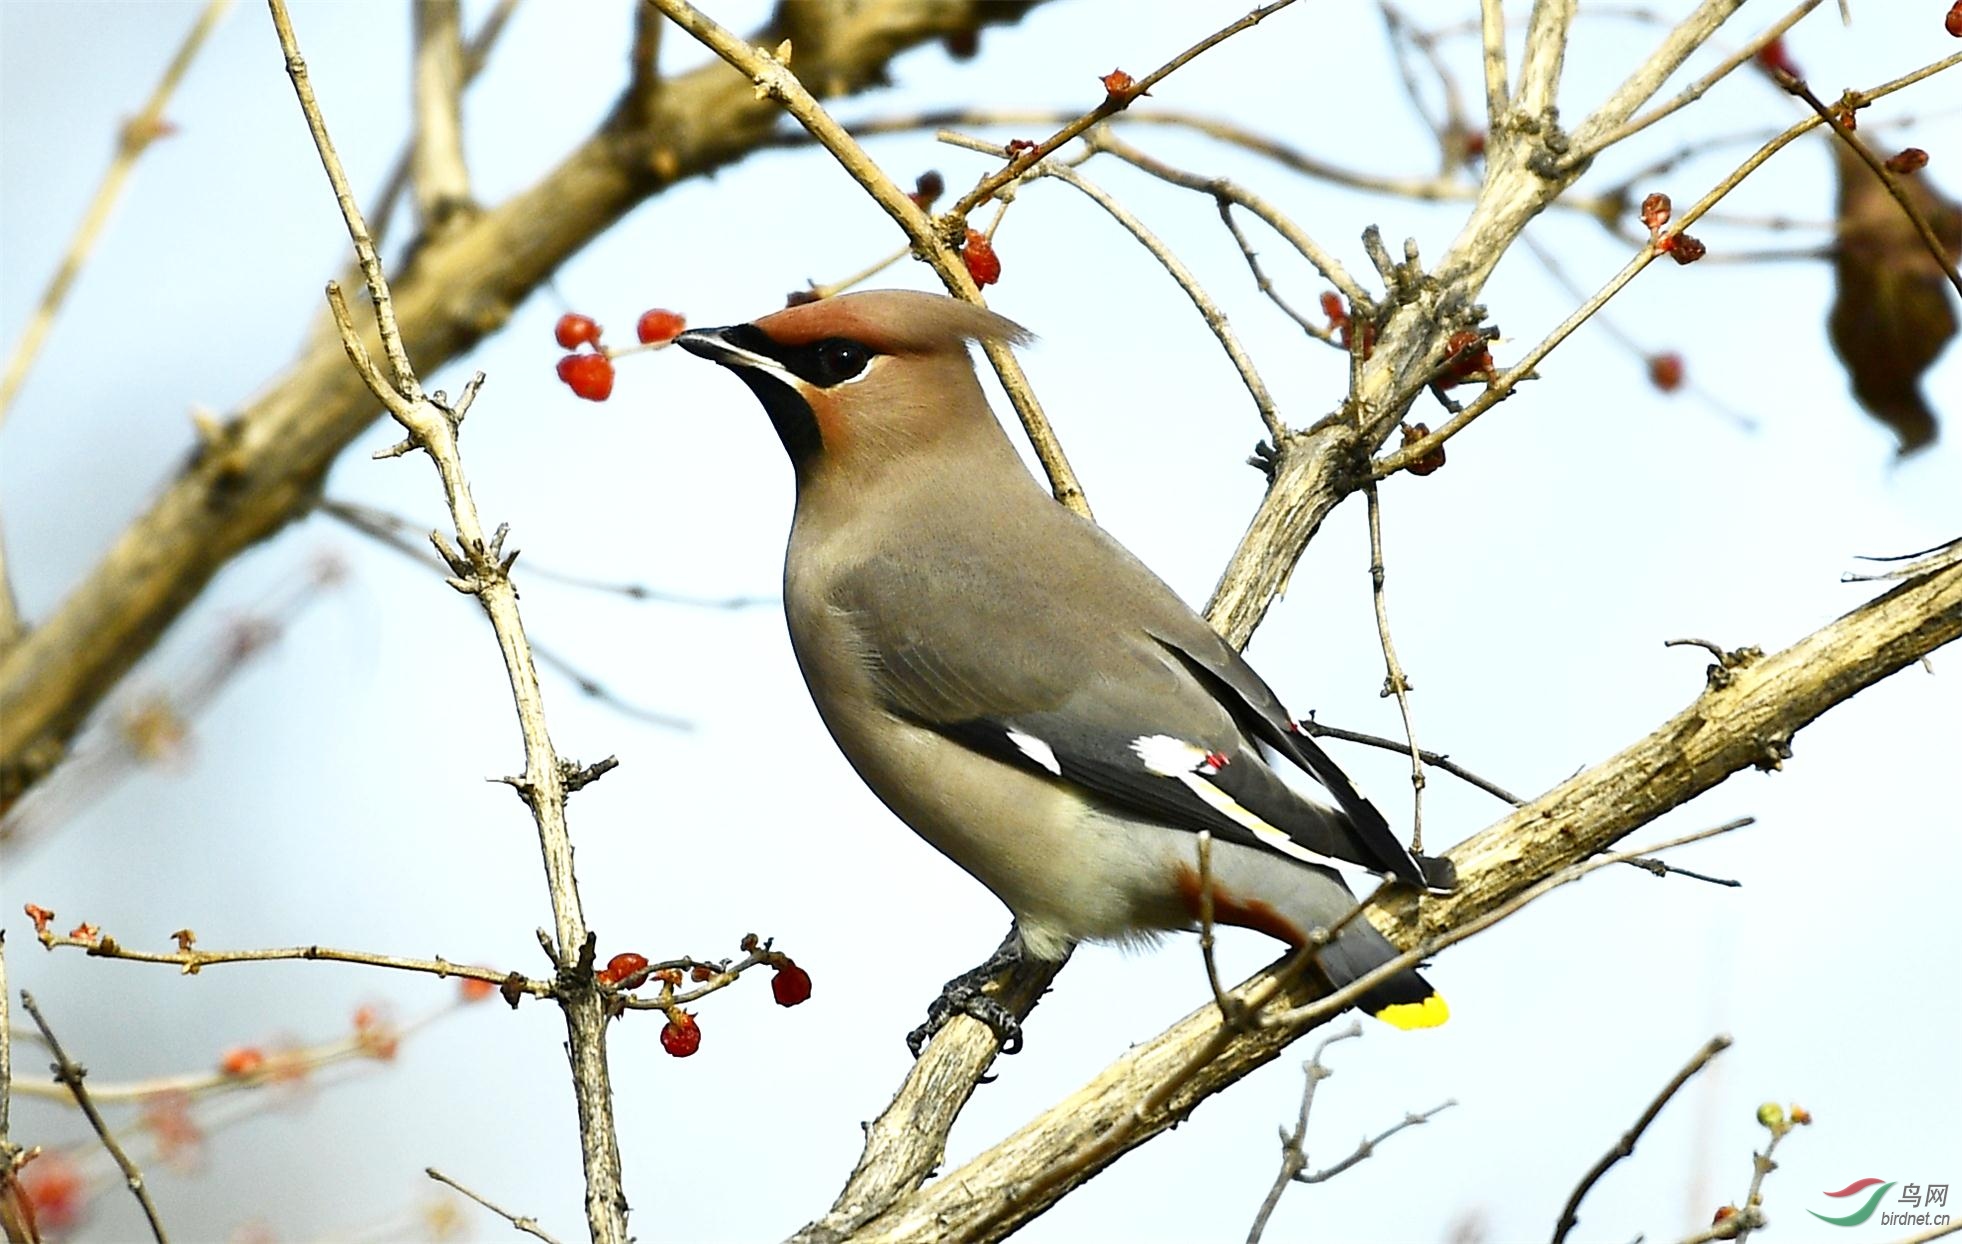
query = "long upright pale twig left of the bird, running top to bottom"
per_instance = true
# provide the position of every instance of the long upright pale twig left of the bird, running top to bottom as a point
(484, 570)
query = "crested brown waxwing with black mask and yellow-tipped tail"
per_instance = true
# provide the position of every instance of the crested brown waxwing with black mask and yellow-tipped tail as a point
(1021, 690)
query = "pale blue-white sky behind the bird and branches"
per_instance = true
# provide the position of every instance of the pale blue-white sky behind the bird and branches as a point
(336, 790)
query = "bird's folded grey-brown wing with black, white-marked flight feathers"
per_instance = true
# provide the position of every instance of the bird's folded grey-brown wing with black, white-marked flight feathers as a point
(1092, 701)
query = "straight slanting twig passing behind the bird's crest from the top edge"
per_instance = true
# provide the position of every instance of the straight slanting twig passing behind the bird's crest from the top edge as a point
(774, 79)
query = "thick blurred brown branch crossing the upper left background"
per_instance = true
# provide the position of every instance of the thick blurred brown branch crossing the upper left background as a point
(264, 468)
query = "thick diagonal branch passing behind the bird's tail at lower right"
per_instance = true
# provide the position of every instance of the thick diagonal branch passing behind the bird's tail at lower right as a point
(1747, 723)
